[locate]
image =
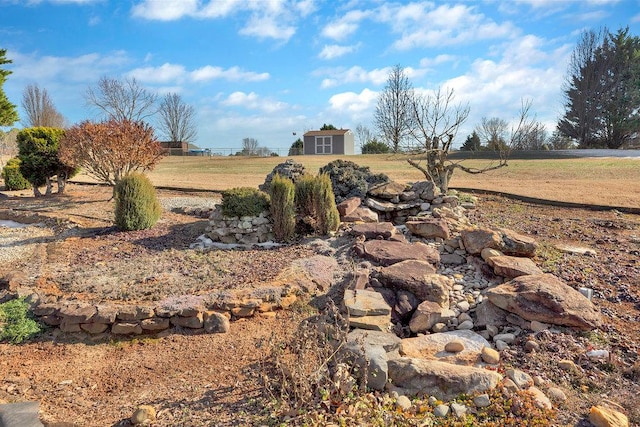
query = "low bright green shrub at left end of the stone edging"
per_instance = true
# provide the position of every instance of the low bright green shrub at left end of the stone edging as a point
(16, 322)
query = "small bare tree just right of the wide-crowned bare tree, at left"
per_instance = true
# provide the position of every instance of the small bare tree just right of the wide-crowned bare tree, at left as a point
(177, 119)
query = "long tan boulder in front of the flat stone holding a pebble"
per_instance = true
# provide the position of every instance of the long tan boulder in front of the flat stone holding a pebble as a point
(443, 380)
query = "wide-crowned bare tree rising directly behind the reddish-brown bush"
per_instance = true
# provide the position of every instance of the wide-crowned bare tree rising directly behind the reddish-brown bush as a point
(122, 99)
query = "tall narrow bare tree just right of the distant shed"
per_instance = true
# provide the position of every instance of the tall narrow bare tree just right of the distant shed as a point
(393, 112)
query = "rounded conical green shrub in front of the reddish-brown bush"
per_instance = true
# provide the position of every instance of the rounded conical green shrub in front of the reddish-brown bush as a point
(137, 206)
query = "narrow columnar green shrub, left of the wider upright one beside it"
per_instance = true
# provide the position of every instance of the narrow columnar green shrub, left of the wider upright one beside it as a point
(283, 208)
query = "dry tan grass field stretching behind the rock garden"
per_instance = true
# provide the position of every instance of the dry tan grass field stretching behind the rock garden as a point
(603, 181)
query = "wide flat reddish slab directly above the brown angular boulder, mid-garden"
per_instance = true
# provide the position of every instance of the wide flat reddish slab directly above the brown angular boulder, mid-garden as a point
(387, 253)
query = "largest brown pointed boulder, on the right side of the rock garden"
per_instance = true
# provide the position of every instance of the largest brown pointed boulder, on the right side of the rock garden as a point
(547, 299)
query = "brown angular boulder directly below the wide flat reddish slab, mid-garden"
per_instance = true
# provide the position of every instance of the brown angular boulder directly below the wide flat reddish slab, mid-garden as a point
(419, 278)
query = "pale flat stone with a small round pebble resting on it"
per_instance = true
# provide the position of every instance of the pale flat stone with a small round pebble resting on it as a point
(433, 347)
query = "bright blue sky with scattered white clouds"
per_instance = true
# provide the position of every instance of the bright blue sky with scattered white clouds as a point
(267, 68)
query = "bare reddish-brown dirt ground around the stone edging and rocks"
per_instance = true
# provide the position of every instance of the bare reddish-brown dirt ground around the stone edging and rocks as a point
(197, 379)
